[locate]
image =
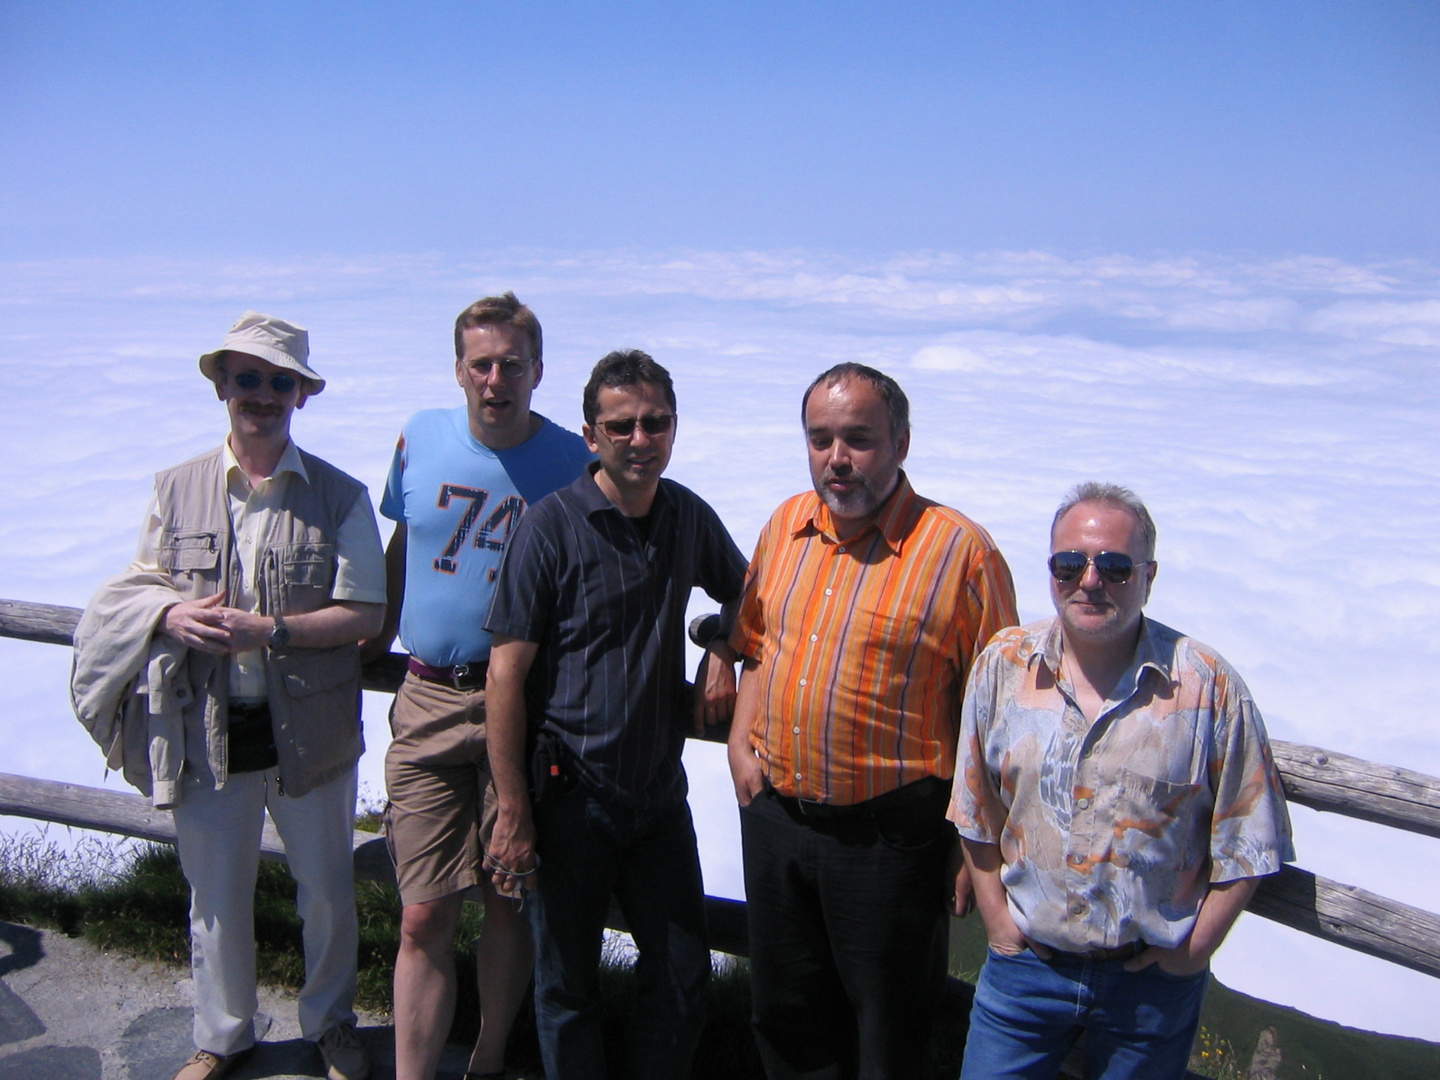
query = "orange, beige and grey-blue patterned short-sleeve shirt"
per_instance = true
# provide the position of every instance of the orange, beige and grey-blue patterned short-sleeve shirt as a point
(1112, 832)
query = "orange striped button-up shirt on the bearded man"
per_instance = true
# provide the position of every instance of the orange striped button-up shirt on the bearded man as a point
(865, 646)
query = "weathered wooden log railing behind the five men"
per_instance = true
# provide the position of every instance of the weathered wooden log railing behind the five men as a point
(1321, 780)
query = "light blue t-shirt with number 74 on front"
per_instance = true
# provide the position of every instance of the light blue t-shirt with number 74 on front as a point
(460, 500)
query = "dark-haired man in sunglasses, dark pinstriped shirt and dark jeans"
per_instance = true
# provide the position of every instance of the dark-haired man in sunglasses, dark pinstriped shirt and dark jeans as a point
(588, 657)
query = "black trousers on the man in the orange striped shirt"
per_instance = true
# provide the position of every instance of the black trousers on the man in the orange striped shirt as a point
(849, 934)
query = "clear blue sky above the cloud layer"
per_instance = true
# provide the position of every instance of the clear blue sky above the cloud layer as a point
(292, 129)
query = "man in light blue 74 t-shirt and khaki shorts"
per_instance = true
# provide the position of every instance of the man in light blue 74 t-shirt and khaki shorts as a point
(459, 485)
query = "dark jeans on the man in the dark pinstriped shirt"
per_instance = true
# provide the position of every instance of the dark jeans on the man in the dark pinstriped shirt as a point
(591, 850)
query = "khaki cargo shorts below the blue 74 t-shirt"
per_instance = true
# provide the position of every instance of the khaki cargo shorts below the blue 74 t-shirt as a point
(443, 803)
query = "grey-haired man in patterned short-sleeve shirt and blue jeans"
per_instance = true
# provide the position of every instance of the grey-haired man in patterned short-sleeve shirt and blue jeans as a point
(1118, 807)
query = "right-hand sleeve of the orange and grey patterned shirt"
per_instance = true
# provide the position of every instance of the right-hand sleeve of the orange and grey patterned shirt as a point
(1251, 829)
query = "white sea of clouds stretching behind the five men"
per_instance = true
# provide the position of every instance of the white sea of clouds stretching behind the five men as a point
(1279, 418)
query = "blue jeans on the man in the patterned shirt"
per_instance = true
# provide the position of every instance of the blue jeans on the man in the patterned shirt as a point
(1029, 1013)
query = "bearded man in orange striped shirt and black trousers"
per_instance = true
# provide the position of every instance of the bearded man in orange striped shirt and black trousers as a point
(863, 610)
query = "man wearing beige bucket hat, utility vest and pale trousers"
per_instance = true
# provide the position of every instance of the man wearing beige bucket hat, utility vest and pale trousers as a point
(264, 562)
